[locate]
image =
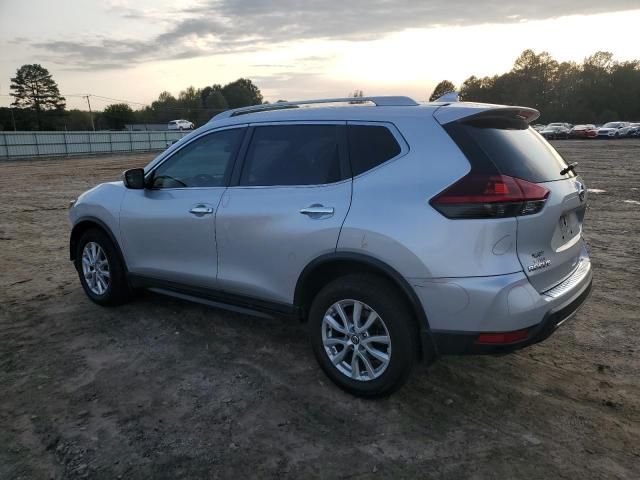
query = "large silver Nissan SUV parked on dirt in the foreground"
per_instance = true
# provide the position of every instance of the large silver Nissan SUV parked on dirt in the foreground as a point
(396, 231)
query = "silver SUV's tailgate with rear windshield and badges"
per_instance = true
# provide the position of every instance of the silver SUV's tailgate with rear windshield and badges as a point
(549, 243)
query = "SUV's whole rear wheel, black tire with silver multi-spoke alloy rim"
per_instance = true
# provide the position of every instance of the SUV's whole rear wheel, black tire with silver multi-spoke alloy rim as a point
(361, 331)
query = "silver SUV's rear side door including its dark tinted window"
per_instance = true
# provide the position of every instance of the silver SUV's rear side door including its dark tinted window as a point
(286, 208)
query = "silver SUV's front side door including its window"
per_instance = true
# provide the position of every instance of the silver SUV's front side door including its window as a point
(168, 229)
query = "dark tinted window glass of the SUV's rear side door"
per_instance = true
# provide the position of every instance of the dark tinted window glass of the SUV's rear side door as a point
(293, 155)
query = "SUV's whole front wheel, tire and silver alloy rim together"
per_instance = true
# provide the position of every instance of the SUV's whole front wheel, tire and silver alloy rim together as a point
(101, 271)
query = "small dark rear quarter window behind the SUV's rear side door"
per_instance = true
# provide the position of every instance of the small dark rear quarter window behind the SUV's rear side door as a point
(369, 146)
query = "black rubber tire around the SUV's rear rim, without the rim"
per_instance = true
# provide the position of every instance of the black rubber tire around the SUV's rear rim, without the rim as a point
(392, 308)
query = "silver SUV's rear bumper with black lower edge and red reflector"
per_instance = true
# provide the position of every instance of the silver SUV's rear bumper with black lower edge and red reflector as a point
(459, 310)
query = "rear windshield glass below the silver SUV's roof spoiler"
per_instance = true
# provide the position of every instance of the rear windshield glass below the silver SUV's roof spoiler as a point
(517, 151)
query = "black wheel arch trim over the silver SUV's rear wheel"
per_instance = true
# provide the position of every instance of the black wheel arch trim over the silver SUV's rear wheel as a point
(426, 339)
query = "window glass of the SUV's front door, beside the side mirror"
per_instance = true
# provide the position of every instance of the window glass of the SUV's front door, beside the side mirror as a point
(202, 163)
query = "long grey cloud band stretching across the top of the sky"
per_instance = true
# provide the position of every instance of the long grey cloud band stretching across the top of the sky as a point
(223, 26)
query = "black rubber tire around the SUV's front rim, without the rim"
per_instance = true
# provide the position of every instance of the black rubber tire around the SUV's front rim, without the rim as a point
(117, 291)
